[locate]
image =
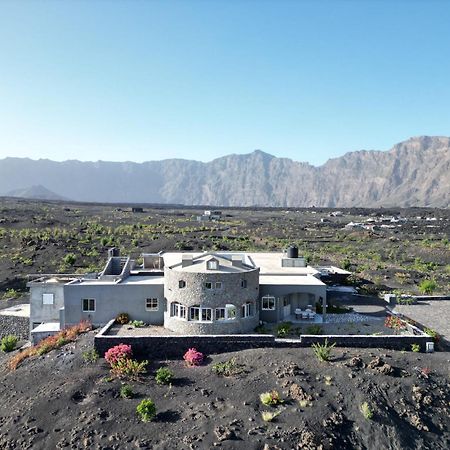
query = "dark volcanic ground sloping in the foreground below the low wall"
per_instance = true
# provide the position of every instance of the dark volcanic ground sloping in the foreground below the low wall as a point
(60, 401)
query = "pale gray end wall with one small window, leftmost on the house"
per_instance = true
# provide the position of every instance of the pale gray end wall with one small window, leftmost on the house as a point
(39, 312)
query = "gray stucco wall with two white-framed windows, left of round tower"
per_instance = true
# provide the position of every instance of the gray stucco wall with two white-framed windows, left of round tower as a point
(111, 300)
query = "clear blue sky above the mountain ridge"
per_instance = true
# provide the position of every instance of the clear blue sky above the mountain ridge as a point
(143, 80)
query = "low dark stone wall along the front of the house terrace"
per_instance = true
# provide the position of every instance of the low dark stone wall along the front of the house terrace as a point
(174, 346)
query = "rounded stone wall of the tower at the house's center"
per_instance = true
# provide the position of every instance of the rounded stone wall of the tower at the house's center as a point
(195, 293)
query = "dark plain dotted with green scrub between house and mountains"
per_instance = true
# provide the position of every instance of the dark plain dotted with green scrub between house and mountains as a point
(411, 257)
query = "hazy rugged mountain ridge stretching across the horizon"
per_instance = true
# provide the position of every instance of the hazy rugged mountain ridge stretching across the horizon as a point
(413, 173)
